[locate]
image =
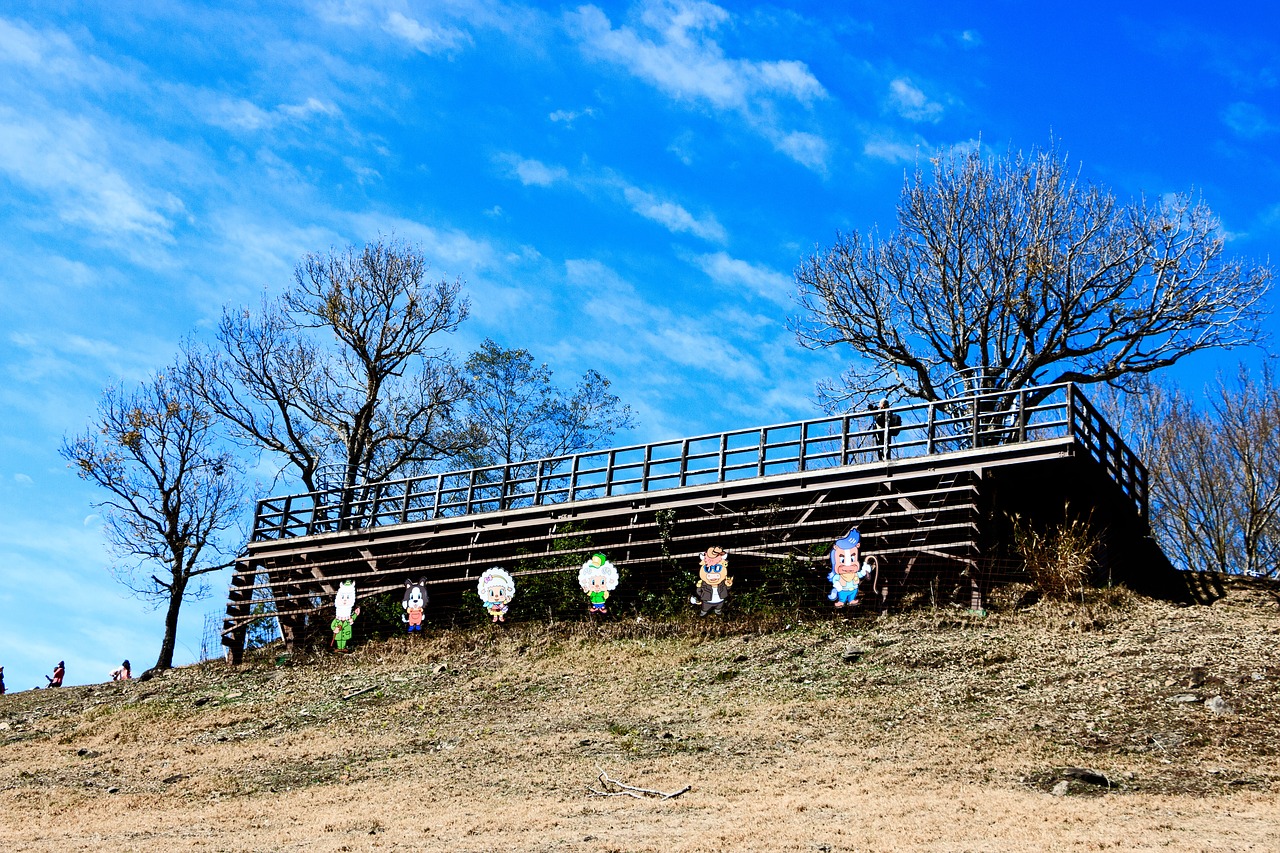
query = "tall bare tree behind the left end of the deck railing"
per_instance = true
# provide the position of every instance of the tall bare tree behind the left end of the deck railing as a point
(344, 371)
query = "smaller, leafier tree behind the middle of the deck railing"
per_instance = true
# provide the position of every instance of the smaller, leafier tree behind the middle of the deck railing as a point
(524, 416)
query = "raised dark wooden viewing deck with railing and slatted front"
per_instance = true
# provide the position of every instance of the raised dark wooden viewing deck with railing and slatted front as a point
(935, 490)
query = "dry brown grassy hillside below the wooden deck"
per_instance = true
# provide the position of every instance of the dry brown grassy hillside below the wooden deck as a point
(1122, 724)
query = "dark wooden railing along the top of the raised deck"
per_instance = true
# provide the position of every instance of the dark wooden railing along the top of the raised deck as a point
(871, 437)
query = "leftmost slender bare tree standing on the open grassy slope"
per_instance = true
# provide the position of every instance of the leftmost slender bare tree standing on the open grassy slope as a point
(173, 491)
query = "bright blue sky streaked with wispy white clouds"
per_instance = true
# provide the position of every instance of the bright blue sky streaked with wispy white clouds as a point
(623, 186)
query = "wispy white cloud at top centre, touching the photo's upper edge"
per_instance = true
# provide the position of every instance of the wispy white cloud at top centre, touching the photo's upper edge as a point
(675, 52)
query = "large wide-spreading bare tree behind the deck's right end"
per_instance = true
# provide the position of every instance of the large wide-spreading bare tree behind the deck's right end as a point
(1016, 272)
